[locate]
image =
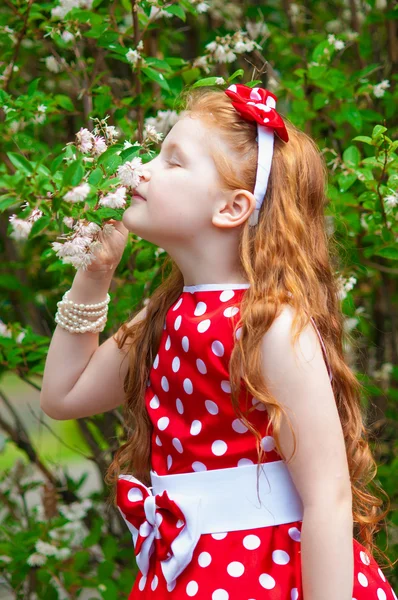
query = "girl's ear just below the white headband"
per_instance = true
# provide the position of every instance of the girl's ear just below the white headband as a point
(234, 209)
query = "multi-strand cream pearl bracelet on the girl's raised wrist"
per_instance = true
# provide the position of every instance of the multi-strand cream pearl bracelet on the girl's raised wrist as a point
(72, 315)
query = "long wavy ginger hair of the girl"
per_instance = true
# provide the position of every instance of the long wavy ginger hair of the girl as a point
(287, 258)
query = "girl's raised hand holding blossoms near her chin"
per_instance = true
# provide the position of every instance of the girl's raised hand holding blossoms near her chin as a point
(113, 245)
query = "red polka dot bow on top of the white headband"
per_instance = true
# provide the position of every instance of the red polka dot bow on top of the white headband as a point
(257, 104)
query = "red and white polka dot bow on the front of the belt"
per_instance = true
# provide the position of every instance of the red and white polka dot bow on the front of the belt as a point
(168, 527)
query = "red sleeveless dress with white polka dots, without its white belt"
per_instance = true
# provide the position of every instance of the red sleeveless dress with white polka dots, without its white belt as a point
(196, 429)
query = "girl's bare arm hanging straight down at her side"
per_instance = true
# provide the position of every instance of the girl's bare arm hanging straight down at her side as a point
(299, 380)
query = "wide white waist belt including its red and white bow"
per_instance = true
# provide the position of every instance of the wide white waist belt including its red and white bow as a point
(170, 516)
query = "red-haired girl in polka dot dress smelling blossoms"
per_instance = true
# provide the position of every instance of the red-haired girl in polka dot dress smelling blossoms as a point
(245, 473)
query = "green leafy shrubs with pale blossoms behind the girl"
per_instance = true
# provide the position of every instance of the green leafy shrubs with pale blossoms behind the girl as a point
(332, 66)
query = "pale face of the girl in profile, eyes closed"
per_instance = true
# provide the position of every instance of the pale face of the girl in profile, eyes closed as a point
(181, 187)
